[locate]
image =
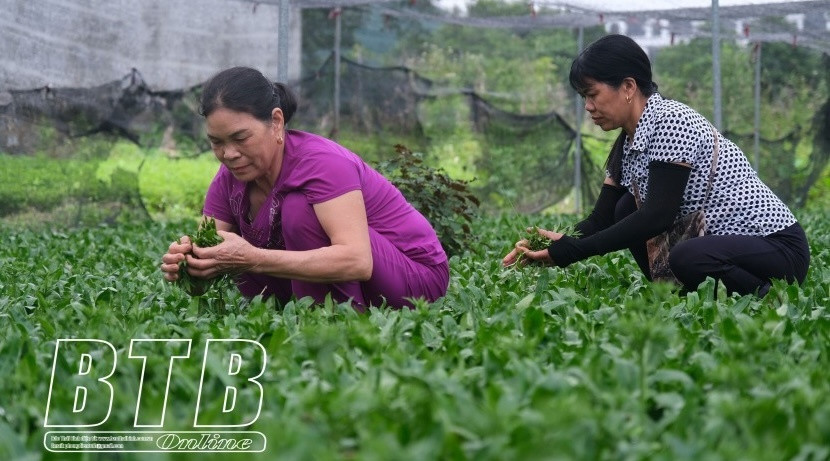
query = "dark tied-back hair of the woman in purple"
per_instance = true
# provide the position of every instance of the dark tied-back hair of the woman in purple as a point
(243, 89)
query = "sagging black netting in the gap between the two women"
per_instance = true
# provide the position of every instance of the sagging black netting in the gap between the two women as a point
(527, 159)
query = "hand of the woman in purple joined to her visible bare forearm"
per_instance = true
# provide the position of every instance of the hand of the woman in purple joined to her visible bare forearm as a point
(233, 255)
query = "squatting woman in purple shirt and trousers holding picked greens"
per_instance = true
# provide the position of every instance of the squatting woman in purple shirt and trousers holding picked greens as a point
(299, 213)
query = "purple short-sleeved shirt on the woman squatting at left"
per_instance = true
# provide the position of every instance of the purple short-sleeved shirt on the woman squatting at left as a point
(322, 170)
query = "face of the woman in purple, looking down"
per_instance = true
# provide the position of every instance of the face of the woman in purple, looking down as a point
(243, 143)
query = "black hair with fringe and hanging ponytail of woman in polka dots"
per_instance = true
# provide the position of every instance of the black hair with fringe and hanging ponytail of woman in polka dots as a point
(610, 60)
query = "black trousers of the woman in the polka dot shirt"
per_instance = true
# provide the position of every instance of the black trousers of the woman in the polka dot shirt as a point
(744, 263)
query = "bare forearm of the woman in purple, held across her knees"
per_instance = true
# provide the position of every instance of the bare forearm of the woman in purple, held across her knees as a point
(330, 264)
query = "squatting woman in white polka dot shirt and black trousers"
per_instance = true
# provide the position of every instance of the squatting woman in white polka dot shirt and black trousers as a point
(665, 149)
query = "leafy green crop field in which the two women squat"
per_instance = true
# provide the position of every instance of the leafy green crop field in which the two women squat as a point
(590, 362)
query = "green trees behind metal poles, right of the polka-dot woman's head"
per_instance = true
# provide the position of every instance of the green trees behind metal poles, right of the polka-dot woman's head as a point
(793, 88)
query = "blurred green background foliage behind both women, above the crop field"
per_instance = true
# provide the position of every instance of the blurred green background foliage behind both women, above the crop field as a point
(486, 105)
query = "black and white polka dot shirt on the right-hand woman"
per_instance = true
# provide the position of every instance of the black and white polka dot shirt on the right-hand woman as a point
(739, 203)
